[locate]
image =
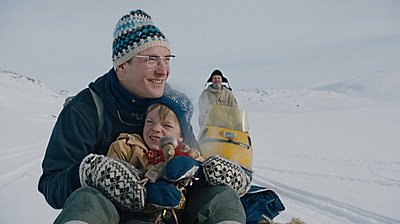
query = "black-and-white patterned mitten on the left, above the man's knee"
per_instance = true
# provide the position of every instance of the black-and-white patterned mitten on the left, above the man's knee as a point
(117, 180)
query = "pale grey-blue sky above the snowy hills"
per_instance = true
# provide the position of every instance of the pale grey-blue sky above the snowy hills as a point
(271, 44)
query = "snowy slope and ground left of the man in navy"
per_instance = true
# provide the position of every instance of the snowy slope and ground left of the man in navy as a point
(28, 112)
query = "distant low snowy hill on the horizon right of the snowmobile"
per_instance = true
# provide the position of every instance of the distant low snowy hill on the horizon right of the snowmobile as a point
(370, 90)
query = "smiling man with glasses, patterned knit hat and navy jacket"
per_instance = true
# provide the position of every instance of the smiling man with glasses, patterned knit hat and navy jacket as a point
(141, 57)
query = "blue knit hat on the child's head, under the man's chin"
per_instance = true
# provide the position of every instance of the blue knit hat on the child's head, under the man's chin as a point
(181, 105)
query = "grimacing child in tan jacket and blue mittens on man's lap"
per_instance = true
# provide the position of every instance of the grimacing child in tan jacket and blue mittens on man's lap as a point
(166, 124)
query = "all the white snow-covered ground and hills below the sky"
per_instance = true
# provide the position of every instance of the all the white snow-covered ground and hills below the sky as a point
(330, 152)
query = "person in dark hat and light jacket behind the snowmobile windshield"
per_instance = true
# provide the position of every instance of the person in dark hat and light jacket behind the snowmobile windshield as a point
(215, 93)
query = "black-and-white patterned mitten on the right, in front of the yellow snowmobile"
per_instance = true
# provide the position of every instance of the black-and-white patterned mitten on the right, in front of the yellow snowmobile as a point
(220, 171)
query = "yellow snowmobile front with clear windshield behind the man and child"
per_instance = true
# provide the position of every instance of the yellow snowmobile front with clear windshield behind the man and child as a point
(225, 133)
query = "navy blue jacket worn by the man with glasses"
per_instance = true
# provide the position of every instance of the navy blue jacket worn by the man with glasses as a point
(75, 135)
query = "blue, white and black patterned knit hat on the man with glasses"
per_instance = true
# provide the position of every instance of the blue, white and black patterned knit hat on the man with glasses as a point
(134, 33)
